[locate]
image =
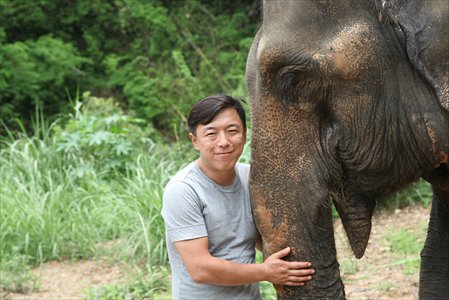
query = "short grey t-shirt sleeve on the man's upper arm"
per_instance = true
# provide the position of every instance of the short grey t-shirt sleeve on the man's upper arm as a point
(182, 213)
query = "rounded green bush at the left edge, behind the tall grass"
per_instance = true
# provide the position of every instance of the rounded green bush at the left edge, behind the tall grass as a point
(36, 71)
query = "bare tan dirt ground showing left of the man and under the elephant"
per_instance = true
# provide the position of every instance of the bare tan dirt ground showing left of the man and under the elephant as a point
(378, 275)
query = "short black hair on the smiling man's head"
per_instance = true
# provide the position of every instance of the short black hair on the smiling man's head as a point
(205, 110)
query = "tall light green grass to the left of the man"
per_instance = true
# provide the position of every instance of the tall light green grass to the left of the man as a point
(48, 213)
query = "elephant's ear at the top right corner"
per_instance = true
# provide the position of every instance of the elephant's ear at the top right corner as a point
(422, 28)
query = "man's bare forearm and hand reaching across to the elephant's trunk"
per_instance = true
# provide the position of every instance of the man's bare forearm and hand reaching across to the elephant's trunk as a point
(205, 268)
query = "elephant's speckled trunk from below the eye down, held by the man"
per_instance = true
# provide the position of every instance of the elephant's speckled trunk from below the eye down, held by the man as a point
(290, 196)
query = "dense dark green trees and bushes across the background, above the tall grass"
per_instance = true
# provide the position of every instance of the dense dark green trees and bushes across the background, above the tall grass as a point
(155, 57)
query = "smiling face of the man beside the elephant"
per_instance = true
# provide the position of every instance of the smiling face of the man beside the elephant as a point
(220, 142)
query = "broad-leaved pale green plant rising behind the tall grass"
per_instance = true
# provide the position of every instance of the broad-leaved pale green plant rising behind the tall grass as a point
(99, 138)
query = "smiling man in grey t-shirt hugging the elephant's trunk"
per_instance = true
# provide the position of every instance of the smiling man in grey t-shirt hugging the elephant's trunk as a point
(210, 233)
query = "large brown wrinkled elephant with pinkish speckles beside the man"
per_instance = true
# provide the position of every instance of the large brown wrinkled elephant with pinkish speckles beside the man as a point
(349, 101)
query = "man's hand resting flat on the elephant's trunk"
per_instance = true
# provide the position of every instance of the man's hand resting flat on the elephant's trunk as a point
(283, 272)
